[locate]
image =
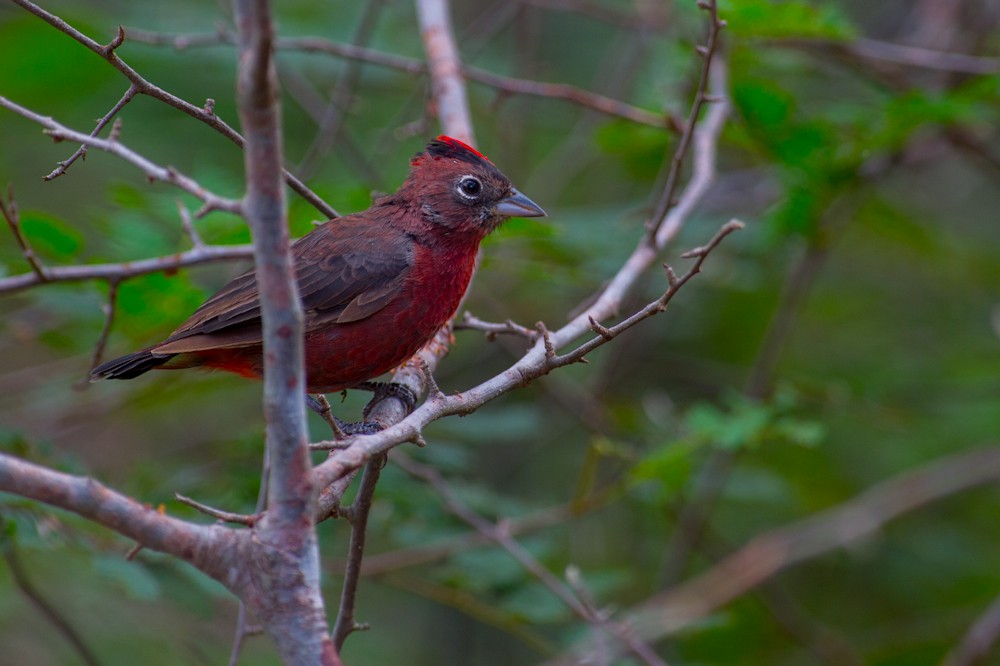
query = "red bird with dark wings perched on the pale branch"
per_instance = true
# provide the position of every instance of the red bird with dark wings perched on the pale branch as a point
(375, 286)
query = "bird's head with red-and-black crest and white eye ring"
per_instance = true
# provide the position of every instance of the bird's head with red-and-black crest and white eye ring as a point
(458, 188)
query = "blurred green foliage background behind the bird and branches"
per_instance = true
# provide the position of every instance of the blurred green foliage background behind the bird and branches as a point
(850, 333)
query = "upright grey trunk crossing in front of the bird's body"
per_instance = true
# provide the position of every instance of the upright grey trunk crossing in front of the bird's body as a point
(285, 570)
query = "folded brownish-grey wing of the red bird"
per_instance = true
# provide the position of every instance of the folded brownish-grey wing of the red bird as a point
(344, 274)
